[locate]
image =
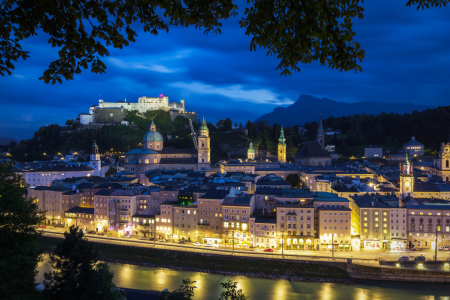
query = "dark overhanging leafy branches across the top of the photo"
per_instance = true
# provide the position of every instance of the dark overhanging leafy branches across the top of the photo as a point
(295, 31)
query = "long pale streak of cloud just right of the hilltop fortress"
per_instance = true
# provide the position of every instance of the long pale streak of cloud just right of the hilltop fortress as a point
(234, 92)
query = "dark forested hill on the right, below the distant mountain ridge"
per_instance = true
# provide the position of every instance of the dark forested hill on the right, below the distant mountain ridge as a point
(431, 127)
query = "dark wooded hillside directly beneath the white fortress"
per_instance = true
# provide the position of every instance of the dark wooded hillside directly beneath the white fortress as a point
(53, 139)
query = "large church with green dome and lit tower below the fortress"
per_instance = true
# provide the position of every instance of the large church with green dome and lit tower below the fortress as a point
(154, 155)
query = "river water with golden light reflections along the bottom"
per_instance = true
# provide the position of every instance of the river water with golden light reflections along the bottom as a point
(208, 286)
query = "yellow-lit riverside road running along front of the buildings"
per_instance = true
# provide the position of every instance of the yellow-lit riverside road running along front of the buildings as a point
(364, 256)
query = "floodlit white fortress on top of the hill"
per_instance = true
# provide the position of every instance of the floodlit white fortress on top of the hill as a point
(114, 113)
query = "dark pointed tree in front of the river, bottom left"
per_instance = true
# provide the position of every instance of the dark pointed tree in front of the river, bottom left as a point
(78, 274)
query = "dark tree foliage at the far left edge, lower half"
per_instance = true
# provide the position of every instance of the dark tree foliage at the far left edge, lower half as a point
(19, 251)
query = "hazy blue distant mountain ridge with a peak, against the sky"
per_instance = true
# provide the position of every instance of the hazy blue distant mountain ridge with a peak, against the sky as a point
(308, 108)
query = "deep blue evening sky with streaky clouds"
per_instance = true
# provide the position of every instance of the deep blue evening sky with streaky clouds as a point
(407, 60)
